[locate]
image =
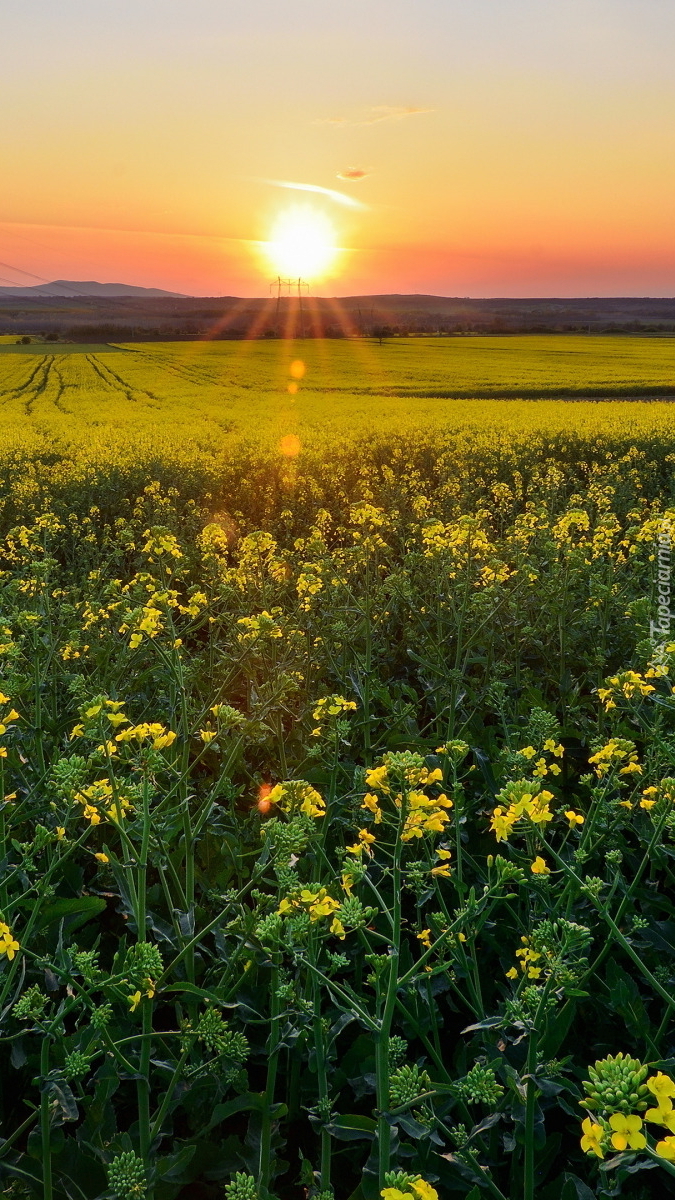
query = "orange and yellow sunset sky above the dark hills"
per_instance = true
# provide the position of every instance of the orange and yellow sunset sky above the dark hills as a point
(494, 148)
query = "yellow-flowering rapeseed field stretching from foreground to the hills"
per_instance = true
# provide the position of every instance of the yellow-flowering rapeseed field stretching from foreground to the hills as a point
(337, 757)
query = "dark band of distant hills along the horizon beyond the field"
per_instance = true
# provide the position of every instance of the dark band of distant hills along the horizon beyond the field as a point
(76, 311)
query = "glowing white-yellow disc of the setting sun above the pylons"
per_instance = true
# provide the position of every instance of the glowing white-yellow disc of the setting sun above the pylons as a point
(302, 244)
